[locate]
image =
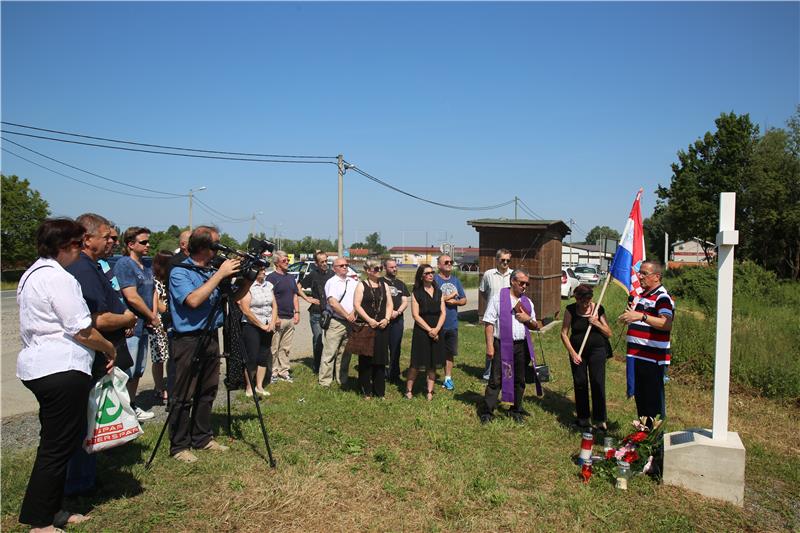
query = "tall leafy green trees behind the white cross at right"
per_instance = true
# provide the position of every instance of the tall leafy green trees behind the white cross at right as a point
(763, 171)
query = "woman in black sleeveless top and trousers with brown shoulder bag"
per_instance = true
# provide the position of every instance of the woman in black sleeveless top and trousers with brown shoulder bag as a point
(372, 303)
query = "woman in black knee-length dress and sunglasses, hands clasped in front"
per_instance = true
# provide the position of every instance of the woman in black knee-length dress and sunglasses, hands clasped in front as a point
(427, 350)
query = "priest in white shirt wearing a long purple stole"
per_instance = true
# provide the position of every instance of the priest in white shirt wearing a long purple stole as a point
(508, 319)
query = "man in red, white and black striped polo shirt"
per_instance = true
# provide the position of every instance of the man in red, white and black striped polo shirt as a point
(649, 326)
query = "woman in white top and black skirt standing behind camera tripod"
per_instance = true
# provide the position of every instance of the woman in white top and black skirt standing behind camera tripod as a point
(259, 317)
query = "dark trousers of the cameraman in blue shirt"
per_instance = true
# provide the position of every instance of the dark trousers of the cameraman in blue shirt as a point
(190, 426)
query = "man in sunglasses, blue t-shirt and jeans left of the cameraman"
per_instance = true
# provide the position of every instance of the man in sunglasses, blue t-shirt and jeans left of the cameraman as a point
(138, 288)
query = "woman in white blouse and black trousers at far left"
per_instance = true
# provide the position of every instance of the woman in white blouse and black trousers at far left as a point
(58, 344)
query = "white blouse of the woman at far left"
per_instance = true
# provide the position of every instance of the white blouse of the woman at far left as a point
(51, 312)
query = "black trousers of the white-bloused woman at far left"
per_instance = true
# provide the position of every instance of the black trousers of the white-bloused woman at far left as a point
(63, 399)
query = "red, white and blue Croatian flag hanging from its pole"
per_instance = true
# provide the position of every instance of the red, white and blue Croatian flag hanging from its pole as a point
(625, 268)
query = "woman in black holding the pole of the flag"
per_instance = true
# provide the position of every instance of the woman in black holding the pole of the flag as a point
(577, 319)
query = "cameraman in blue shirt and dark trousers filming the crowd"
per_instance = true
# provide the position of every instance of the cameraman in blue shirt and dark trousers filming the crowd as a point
(193, 295)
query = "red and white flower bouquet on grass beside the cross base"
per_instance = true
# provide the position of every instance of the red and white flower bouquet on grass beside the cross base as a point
(639, 450)
